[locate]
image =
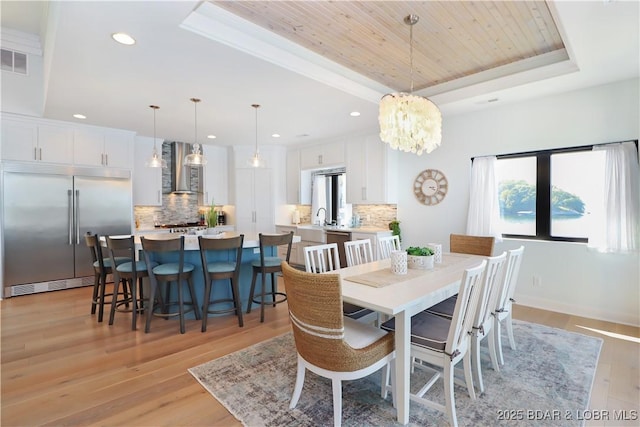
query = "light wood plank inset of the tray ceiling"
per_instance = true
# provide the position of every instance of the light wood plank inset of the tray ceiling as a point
(453, 39)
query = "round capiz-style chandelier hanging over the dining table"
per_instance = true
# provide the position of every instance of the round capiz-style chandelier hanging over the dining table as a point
(410, 122)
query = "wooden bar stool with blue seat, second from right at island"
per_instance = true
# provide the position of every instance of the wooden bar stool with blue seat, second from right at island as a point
(221, 270)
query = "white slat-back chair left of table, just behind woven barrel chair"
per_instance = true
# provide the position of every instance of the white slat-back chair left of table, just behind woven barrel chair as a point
(325, 258)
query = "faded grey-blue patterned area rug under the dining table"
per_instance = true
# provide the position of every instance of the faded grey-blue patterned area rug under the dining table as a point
(546, 381)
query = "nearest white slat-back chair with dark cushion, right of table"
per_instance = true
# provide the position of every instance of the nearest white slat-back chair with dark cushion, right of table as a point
(442, 343)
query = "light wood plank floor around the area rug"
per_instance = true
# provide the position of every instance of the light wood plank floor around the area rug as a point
(61, 367)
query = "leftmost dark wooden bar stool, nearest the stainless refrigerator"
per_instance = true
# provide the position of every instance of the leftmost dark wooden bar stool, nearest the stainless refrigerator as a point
(101, 268)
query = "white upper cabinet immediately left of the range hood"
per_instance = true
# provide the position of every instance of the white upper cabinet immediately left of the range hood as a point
(147, 182)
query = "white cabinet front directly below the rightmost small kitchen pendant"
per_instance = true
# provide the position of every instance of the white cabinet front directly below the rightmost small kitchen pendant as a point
(254, 204)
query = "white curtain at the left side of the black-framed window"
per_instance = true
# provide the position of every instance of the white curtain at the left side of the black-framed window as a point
(484, 208)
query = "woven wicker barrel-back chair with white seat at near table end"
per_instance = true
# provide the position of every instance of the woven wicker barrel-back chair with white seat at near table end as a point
(328, 343)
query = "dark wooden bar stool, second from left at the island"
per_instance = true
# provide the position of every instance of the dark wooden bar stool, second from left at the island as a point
(131, 272)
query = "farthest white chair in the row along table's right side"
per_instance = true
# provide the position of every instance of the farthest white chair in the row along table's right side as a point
(503, 309)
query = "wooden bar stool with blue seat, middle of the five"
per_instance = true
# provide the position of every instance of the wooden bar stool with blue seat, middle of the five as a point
(167, 271)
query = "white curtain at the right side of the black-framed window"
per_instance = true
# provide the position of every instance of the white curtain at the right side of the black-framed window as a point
(618, 230)
